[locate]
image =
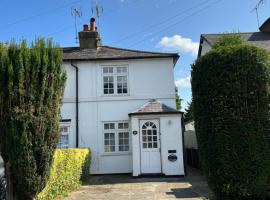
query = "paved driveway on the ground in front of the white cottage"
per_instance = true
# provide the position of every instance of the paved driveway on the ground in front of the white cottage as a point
(125, 187)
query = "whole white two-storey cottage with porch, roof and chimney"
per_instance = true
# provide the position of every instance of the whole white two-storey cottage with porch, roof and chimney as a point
(121, 104)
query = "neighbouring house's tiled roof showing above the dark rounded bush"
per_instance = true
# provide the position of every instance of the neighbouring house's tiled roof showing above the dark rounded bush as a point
(260, 39)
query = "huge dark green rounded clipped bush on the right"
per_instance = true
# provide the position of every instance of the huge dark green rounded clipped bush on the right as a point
(231, 95)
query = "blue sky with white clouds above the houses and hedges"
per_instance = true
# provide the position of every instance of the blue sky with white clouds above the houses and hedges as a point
(155, 25)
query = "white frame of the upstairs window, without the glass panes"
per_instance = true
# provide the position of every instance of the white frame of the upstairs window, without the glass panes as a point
(115, 76)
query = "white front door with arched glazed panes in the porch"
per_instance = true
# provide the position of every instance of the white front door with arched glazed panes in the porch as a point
(150, 146)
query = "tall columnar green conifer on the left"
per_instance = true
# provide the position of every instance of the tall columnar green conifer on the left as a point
(32, 83)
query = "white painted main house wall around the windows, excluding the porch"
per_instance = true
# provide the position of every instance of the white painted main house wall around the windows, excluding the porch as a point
(147, 79)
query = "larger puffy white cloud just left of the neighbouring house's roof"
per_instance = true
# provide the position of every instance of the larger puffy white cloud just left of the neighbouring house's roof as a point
(179, 43)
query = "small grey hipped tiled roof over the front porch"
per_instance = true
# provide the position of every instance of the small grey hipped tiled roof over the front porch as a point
(154, 107)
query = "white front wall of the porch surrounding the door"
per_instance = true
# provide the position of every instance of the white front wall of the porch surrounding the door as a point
(171, 139)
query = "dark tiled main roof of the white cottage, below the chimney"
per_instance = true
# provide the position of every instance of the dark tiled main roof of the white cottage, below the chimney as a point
(110, 53)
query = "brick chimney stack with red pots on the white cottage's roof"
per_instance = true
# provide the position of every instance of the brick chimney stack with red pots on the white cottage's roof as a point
(89, 38)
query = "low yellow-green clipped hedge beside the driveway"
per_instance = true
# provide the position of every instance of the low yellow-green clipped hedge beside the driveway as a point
(69, 170)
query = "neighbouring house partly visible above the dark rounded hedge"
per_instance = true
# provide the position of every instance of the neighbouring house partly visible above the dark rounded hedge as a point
(260, 39)
